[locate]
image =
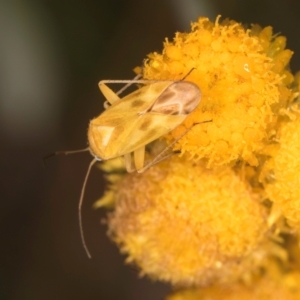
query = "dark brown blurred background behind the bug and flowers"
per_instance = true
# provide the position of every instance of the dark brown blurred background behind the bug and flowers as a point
(52, 55)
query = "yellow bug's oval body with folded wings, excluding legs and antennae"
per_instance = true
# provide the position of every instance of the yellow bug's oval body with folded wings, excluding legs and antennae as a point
(141, 117)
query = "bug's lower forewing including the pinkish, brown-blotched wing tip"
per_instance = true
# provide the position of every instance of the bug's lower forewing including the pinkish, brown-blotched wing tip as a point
(168, 111)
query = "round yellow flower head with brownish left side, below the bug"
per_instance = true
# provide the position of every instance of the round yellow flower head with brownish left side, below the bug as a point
(187, 225)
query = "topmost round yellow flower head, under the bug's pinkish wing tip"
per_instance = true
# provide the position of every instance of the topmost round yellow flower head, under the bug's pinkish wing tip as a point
(242, 76)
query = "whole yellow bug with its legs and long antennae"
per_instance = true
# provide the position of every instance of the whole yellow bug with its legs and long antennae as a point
(128, 124)
